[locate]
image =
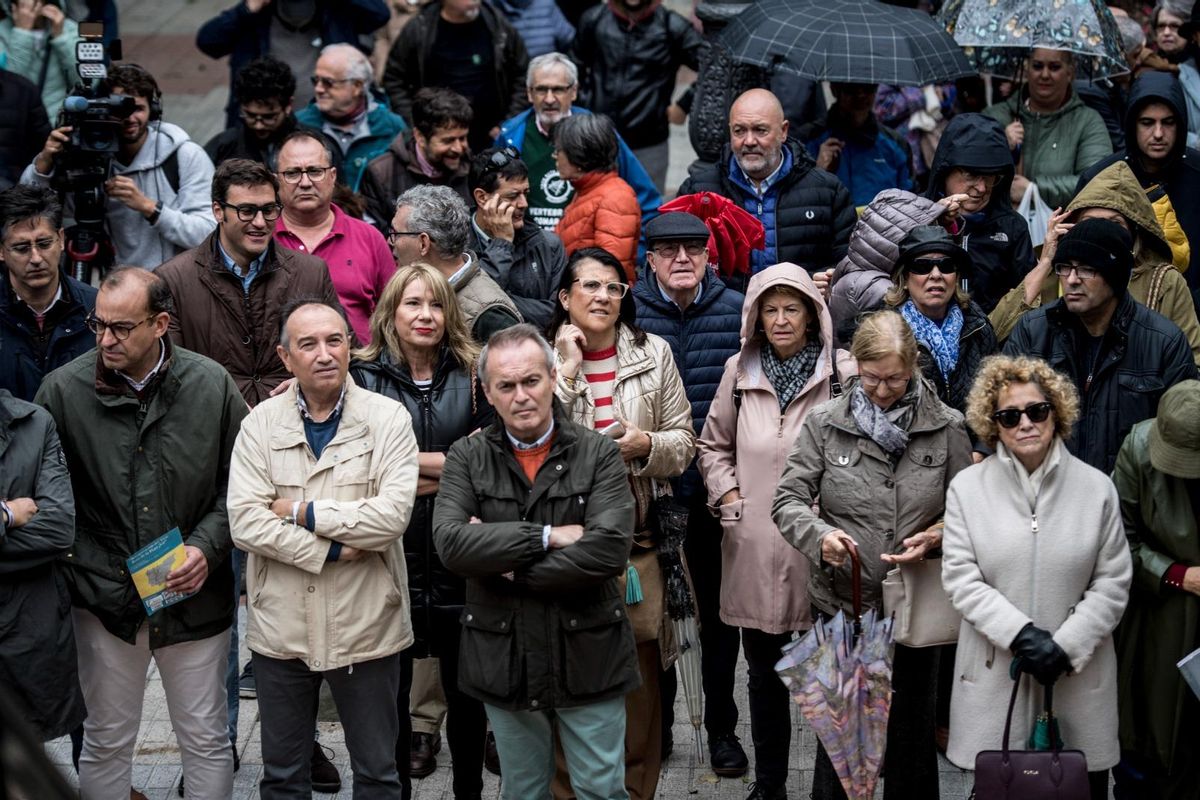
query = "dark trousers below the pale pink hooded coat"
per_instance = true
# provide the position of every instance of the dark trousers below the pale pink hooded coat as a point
(771, 708)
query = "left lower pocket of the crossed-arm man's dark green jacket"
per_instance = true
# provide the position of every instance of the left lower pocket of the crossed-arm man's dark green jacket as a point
(489, 661)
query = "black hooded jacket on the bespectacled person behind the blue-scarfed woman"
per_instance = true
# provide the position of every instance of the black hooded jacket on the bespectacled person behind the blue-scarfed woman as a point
(998, 239)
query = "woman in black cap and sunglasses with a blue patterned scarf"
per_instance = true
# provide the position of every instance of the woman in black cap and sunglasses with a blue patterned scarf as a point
(952, 330)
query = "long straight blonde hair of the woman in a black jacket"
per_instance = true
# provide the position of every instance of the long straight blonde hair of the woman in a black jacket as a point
(383, 321)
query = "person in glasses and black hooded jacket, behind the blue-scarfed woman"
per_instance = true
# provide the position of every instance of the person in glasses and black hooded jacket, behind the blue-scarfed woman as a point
(971, 173)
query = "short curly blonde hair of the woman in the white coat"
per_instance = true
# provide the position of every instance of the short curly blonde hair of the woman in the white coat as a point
(999, 372)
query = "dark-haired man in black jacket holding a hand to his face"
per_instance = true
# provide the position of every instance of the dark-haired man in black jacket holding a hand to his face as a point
(524, 260)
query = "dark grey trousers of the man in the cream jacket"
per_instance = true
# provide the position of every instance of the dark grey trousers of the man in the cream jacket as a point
(287, 709)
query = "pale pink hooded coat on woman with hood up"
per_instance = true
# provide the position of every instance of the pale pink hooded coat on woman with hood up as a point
(765, 582)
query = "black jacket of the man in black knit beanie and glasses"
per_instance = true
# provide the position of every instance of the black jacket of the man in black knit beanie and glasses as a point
(1143, 356)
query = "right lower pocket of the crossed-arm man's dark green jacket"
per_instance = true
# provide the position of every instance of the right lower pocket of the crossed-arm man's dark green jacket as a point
(598, 649)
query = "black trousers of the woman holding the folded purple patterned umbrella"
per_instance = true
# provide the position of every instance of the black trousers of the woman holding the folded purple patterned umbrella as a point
(910, 766)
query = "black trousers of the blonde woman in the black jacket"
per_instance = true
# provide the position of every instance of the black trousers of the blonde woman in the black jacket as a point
(466, 723)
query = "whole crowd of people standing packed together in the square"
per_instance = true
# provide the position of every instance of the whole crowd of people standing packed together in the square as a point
(417, 366)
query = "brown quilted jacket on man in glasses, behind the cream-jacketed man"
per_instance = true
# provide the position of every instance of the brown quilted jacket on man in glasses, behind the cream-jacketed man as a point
(214, 317)
